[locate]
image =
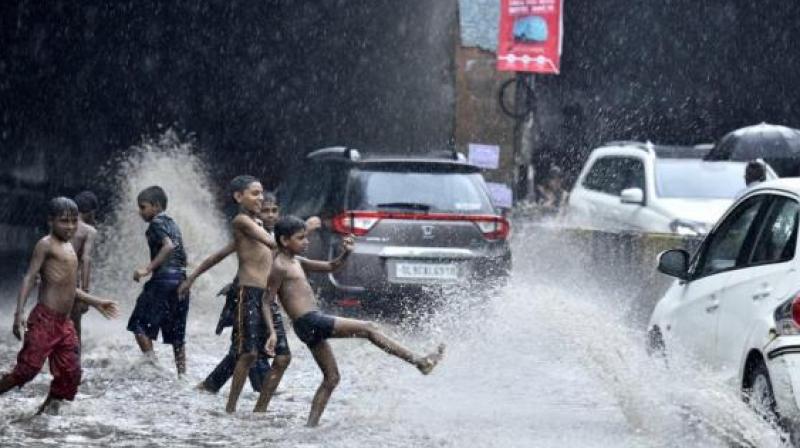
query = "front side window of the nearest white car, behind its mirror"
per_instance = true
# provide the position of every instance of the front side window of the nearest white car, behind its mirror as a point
(724, 246)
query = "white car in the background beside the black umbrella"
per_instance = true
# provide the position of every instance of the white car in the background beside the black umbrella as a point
(654, 189)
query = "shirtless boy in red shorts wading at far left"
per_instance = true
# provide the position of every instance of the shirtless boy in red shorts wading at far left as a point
(49, 333)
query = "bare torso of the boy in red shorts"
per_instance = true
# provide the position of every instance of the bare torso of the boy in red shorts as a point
(59, 273)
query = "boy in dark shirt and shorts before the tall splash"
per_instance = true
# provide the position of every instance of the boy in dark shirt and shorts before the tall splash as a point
(158, 306)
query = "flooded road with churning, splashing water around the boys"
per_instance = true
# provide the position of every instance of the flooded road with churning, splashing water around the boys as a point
(546, 362)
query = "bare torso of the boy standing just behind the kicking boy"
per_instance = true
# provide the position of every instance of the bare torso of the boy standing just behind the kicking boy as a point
(255, 257)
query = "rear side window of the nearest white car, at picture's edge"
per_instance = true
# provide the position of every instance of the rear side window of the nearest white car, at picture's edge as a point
(779, 237)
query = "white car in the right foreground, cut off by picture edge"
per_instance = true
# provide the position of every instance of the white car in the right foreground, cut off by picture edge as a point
(736, 304)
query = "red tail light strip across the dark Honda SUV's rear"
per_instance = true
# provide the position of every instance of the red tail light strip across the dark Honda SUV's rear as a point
(359, 223)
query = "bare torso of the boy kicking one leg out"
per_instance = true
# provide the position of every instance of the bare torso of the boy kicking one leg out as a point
(294, 291)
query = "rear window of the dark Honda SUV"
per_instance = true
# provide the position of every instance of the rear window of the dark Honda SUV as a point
(419, 192)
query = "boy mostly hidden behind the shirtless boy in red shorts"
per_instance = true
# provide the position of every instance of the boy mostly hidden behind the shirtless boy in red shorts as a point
(83, 243)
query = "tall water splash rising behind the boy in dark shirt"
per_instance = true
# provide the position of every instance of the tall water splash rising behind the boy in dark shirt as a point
(173, 164)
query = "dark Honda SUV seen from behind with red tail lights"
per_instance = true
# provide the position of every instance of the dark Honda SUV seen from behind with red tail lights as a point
(420, 224)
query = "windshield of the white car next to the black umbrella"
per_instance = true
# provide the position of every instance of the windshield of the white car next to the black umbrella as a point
(698, 179)
